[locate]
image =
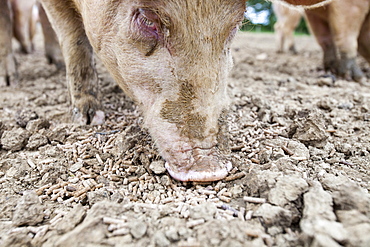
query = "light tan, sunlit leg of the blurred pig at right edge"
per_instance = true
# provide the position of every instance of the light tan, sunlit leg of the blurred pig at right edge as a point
(345, 34)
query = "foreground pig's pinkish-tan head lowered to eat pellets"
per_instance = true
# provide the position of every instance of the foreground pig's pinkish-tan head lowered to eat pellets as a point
(173, 58)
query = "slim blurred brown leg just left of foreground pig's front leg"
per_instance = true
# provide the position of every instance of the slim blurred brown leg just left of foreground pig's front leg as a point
(52, 48)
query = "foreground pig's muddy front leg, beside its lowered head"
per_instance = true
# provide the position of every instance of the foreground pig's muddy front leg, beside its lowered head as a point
(82, 78)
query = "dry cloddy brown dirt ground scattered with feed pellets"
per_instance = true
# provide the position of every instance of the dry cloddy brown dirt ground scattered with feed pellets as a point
(300, 146)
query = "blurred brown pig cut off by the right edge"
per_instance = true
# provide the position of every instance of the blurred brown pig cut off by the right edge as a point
(342, 29)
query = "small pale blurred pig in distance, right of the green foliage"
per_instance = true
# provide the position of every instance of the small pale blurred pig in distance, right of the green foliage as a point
(287, 20)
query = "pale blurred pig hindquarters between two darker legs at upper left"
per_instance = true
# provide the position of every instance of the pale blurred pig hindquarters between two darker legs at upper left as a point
(25, 17)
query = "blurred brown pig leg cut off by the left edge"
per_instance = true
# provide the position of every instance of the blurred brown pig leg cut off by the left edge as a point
(8, 71)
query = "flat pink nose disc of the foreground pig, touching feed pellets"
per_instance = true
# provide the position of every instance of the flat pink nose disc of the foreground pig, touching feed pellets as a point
(201, 165)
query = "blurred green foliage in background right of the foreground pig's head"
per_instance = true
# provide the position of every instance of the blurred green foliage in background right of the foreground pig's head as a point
(260, 6)
